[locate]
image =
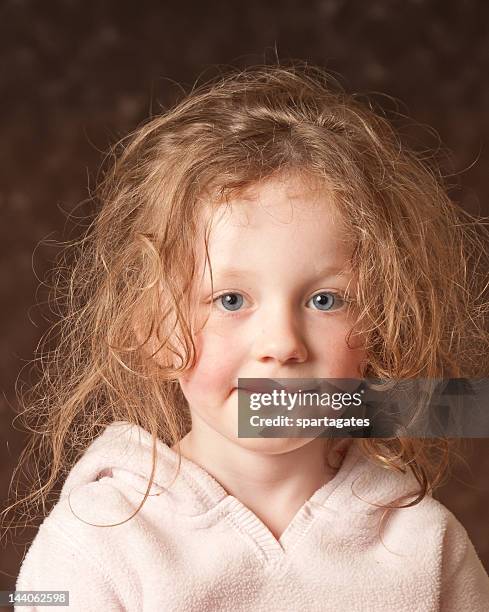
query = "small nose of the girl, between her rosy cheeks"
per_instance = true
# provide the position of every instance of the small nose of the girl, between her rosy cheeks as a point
(279, 338)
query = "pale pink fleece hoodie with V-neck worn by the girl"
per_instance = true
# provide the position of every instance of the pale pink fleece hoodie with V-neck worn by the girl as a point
(193, 548)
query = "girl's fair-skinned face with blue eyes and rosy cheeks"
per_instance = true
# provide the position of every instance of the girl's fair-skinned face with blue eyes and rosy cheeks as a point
(279, 268)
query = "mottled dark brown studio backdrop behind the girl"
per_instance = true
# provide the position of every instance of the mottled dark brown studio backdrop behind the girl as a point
(77, 75)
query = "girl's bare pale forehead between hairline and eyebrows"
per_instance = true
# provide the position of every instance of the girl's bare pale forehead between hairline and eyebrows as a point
(290, 214)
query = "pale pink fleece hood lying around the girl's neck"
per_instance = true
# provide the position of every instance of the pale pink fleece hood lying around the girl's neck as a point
(125, 452)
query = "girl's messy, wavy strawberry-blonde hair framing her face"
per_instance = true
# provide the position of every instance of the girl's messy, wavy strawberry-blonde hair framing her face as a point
(420, 293)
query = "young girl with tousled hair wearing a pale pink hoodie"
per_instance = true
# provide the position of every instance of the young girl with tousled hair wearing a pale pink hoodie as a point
(269, 226)
